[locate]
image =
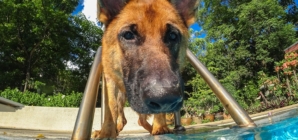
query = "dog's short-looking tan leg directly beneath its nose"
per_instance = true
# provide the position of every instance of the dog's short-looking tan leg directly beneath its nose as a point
(160, 125)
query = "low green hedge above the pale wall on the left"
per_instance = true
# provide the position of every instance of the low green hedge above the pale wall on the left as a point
(35, 99)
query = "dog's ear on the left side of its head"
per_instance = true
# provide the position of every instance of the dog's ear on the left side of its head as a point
(108, 9)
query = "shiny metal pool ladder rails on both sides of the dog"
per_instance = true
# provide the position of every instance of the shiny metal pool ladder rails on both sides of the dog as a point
(83, 126)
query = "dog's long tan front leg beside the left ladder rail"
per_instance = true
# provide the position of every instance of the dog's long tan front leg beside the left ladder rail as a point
(109, 129)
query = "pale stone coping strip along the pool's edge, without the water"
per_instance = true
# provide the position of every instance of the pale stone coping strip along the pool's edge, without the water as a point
(50, 134)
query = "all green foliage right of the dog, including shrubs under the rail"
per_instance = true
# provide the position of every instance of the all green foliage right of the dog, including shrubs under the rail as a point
(244, 39)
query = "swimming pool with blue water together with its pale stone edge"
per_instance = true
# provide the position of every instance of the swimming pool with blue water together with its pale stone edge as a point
(274, 125)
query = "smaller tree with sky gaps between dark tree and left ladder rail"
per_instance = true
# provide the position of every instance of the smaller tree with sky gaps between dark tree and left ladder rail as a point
(84, 47)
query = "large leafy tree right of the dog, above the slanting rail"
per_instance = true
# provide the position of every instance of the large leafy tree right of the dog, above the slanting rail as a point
(243, 38)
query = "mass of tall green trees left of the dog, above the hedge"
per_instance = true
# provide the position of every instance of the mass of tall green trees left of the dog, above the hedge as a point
(38, 38)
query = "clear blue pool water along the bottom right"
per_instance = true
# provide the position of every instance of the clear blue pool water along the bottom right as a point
(271, 128)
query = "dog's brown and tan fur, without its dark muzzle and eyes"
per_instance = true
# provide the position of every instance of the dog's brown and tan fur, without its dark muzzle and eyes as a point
(151, 18)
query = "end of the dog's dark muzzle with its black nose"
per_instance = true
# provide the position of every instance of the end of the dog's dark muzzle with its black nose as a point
(156, 97)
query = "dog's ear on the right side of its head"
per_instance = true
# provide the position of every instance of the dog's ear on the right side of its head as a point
(187, 10)
